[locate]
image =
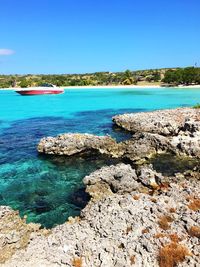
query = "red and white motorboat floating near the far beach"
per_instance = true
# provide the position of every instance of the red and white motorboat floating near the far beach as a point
(44, 89)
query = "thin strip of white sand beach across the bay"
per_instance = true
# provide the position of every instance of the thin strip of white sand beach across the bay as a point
(115, 87)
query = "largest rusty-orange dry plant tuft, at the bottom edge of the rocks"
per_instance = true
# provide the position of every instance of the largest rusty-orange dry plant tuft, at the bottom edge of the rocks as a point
(172, 254)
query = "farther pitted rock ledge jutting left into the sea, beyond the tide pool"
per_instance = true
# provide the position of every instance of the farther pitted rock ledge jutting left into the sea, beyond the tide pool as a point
(175, 131)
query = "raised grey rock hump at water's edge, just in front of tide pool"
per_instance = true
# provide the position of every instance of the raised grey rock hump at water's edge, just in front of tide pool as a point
(122, 178)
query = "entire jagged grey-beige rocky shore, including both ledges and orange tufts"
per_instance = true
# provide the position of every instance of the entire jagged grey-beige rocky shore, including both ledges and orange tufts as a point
(136, 216)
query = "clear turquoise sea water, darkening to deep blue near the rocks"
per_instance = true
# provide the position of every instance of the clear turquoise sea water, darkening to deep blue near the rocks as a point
(49, 189)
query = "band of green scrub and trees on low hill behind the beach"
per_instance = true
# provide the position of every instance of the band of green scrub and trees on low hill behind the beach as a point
(169, 77)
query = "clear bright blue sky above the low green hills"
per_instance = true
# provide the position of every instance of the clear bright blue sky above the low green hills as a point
(77, 36)
